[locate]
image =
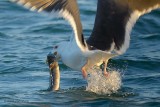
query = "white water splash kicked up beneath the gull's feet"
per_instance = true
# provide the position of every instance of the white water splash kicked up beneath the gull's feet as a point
(100, 84)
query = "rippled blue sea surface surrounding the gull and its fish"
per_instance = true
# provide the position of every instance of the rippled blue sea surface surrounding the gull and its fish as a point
(27, 37)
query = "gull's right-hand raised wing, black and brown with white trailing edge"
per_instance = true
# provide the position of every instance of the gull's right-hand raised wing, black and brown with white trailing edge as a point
(114, 22)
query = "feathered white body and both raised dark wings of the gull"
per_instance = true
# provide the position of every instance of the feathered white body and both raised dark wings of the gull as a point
(111, 33)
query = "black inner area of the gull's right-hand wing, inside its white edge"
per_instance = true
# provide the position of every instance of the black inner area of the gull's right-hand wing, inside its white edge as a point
(110, 26)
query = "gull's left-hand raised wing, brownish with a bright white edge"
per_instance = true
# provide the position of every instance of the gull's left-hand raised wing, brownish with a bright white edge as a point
(68, 9)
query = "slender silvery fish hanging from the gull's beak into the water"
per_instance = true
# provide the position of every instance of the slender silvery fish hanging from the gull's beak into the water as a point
(54, 81)
